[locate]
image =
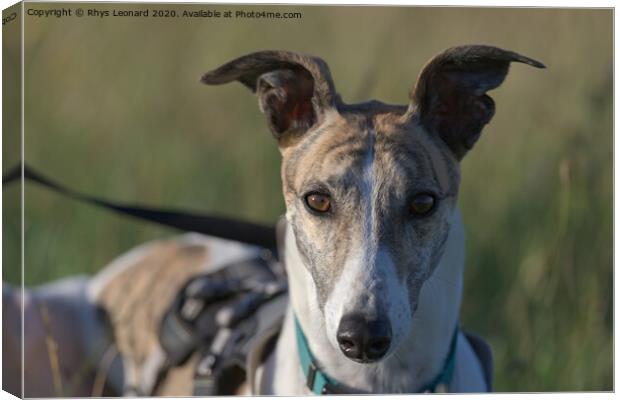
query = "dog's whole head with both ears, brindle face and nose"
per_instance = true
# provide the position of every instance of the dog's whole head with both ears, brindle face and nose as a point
(371, 188)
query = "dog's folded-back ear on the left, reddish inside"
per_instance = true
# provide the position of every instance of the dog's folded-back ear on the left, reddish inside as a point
(294, 90)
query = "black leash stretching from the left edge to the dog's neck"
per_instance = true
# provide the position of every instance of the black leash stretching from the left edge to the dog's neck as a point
(226, 228)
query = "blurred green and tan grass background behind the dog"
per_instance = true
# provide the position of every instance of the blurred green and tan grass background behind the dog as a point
(114, 108)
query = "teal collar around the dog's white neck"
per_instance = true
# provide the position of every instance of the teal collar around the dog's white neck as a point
(320, 383)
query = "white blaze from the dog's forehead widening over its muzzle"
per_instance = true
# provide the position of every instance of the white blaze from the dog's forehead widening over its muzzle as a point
(369, 283)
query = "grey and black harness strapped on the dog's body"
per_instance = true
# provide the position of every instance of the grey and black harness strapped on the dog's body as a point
(230, 319)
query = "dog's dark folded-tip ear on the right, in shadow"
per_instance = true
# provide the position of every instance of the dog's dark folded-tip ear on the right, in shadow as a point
(450, 95)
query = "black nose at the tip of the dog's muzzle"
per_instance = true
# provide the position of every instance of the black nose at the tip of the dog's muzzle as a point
(362, 340)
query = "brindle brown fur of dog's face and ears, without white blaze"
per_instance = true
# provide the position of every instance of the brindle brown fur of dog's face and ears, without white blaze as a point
(412, 149)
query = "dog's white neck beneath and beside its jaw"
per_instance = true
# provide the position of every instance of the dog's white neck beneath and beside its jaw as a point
(417, 361)
